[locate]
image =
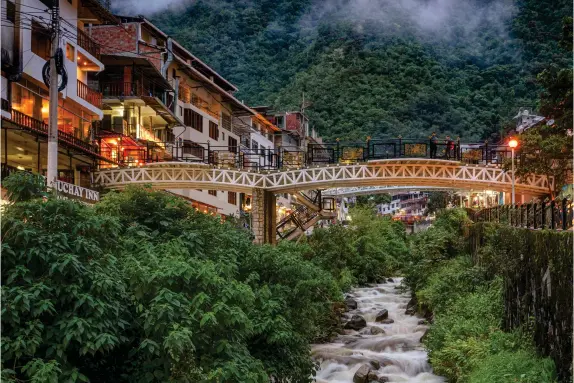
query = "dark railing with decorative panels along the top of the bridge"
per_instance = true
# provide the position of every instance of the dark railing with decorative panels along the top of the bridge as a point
(286, 157)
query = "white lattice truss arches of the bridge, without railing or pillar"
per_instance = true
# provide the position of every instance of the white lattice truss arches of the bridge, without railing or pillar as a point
(395, 172)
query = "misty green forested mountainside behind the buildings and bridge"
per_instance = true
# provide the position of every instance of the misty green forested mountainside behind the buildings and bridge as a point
(380, 67)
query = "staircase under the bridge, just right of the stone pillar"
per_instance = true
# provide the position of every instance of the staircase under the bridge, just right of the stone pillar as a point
(312, 208)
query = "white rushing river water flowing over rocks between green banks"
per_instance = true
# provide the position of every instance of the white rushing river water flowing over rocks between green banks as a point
(398, 350)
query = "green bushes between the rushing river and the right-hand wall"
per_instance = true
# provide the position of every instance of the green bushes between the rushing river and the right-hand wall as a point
(466, 342)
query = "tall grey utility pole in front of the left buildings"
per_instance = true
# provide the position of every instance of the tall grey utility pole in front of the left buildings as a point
(53, 125)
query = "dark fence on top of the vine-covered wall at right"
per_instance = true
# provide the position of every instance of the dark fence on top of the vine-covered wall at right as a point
(554, 215)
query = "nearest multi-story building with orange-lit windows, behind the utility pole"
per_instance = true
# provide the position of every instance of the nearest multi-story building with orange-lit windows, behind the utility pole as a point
(26, 47)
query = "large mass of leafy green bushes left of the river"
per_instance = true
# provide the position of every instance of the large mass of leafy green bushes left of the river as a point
(142, 288)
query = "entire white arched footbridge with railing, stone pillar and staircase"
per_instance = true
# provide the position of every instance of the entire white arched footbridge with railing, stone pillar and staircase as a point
(370, 166)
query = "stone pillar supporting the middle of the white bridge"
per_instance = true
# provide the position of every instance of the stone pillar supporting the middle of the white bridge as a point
(264, 216)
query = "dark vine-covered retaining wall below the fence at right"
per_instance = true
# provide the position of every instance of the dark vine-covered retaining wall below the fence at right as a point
(536, 266)
